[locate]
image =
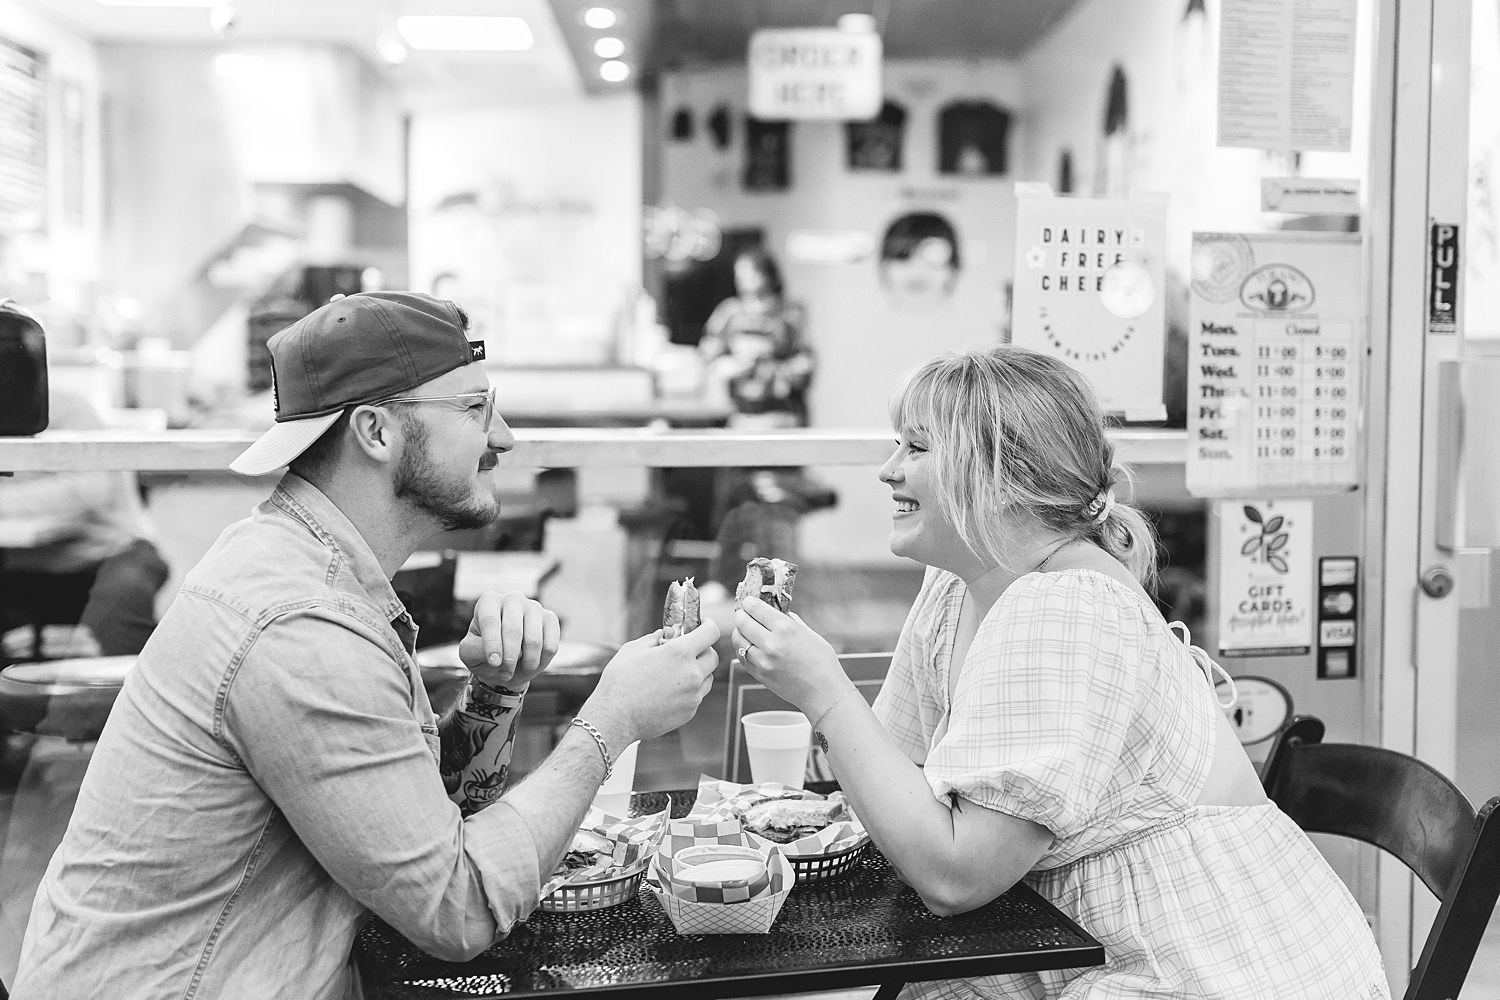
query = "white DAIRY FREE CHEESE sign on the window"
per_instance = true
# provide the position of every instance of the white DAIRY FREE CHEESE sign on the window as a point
(1090, 290)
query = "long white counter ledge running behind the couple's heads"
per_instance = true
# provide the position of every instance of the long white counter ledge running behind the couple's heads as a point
(536, 448)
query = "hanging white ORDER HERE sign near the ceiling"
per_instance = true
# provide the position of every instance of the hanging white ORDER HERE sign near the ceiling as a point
(815, 74)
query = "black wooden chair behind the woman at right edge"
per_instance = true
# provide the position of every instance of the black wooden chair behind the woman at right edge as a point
(1406, 807)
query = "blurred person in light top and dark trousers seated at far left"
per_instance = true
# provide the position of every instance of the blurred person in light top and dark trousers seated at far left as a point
(104, 572)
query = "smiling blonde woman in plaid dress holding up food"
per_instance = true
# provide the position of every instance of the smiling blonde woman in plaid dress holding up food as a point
(1042, 722)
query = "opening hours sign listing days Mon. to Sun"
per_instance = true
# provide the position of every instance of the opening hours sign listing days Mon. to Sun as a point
(1276, 352)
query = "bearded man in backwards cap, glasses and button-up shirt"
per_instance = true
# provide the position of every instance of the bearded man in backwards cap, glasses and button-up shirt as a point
(269, 776)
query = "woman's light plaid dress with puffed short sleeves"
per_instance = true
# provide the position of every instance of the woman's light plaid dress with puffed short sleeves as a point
(1079, 710)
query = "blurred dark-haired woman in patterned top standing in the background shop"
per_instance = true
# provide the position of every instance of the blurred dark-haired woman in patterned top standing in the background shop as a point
(754, 343)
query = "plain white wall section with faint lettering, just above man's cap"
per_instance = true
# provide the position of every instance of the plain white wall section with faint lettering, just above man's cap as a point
(536, 212)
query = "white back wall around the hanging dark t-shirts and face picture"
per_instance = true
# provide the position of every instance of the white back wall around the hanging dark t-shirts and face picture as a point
(865, 341)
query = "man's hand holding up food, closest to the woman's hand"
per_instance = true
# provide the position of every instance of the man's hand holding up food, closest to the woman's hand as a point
(653, 684)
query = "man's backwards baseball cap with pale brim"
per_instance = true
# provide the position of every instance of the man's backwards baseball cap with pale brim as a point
(356, 350)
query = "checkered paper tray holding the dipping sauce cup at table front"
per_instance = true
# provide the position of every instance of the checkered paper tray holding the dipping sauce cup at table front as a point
(752, 915)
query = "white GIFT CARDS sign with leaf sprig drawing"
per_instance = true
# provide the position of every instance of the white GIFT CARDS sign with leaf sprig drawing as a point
(1265, 578)
